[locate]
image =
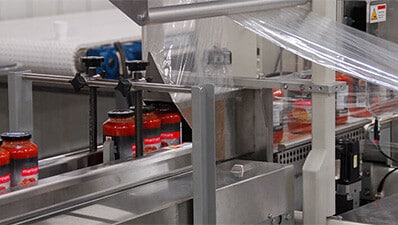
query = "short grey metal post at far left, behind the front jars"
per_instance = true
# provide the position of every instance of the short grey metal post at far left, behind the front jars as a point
(20, 103)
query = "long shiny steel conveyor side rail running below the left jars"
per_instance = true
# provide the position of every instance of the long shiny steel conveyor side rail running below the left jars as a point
(81, 186)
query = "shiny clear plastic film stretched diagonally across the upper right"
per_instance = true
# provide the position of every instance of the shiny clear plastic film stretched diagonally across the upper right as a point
(327, 43)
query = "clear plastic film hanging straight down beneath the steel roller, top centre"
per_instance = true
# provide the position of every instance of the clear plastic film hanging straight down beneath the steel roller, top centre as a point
(190, 52)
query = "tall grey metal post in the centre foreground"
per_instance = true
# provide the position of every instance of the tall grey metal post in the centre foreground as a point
(204, 154)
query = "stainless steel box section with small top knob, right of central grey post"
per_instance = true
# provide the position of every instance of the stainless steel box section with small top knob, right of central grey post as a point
(269, 190)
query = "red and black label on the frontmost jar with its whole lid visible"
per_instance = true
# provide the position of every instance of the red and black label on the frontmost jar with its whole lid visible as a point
(24, 173)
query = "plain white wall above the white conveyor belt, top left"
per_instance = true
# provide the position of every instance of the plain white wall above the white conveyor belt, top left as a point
(14, 9)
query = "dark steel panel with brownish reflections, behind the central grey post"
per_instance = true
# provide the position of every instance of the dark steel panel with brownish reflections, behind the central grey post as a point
(239, 123)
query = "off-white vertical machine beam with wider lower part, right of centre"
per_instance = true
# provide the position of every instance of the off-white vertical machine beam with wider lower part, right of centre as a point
(319, 167)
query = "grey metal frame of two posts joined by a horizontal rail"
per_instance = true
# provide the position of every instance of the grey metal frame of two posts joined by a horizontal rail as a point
(203, 131)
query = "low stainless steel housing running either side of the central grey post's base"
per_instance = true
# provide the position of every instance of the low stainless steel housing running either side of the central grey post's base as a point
(251, 197)
